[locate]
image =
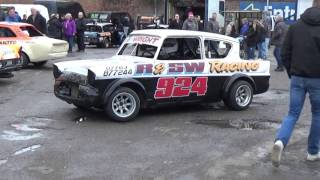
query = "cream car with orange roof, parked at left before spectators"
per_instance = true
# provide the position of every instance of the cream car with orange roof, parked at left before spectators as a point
(36, 47)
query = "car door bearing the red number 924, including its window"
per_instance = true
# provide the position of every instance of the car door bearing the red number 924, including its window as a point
(180, 67)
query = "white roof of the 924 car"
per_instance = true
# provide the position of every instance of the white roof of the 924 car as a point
(163, 33)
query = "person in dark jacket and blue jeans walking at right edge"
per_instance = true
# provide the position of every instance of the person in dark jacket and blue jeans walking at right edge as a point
(301, 58)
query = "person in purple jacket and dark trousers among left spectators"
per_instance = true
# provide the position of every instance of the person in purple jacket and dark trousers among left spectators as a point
(69, 30)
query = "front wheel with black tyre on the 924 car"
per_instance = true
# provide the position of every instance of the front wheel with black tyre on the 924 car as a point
(123, 105)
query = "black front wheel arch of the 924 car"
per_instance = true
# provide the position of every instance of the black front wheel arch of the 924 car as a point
(133, 84)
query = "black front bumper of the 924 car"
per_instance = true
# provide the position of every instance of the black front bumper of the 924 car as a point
(78, 94)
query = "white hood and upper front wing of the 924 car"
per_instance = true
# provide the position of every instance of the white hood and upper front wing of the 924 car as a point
(100, 66)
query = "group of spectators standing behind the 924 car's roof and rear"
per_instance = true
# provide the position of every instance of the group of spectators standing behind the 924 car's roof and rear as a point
(256, 34)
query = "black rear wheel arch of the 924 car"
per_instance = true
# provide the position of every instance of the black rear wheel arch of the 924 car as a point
(228, 84)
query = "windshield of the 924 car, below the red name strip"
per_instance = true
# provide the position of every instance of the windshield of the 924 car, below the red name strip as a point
(139, 50)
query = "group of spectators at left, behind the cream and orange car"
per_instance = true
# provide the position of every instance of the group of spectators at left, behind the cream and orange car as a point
(59, 28)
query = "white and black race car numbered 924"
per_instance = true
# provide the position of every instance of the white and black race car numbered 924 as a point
(158, 67)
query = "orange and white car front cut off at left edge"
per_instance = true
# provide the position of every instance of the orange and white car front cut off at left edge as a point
(9, 59)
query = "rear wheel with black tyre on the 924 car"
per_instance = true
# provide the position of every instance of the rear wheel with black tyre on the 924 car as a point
(239, 96)
